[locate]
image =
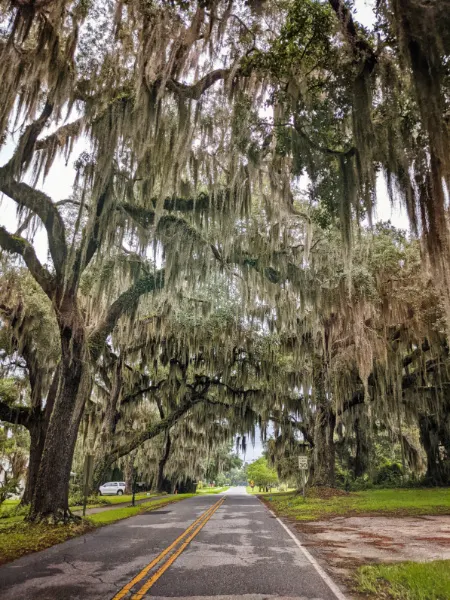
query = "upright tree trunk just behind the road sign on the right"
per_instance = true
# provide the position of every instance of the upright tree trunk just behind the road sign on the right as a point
(324, 453)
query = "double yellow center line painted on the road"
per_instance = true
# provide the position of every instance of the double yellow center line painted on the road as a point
(168, 556)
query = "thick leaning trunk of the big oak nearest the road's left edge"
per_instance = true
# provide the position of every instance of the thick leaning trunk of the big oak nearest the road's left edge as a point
(51, 497)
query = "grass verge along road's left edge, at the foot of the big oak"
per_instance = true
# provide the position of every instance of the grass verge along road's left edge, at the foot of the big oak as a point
(18, 538)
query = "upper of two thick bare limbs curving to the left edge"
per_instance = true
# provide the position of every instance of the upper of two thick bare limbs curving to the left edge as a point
(43, 207)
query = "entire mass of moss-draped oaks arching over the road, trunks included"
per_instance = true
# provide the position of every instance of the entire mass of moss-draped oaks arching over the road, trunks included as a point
(216, 269)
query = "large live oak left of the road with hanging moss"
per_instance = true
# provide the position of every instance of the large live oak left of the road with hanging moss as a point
(131, 127)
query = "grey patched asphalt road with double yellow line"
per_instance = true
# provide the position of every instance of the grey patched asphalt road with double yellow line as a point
(235, 549)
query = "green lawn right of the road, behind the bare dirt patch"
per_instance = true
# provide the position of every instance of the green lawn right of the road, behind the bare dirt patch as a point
(396, 502)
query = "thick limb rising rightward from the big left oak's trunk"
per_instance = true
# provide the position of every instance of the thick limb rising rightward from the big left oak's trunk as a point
(128, 299)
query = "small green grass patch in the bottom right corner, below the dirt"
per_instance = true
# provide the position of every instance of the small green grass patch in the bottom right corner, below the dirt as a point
(406, 581)
